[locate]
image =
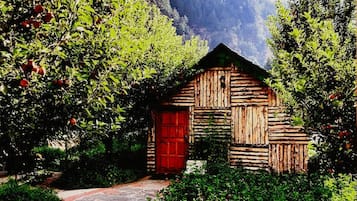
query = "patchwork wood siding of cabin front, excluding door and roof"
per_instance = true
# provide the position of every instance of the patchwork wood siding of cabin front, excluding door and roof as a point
(228, 103)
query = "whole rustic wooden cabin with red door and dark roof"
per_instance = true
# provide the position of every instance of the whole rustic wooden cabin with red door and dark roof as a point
(229, 99)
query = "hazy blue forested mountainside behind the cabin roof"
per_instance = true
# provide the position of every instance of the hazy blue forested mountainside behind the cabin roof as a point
(239, 24)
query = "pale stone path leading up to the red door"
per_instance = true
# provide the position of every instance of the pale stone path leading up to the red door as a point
(137, 191)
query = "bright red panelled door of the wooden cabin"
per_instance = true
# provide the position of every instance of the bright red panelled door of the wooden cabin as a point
(171, 143)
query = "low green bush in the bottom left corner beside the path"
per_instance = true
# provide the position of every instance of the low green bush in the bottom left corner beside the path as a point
(14, 191)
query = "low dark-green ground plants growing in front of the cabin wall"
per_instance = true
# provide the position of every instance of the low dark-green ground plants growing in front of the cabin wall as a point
(236, 184)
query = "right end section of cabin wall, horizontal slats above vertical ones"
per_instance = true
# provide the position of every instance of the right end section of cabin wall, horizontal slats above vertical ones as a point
(287, 143)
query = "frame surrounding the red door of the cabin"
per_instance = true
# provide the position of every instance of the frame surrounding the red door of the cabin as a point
(186, 139)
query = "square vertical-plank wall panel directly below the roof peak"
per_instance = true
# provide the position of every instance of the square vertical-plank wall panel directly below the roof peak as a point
(213, 88)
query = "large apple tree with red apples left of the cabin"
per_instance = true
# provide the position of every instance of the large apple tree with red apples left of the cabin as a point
(94, 54)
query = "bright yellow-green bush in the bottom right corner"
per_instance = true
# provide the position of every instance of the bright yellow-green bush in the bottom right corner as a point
(342, 187)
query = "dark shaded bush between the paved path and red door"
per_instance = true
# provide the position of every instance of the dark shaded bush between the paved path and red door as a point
(95, 168)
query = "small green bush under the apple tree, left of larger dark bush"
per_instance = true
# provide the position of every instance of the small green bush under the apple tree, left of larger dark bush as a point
(51, 157)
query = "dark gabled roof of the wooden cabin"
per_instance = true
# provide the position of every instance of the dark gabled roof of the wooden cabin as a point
(222, 56)
